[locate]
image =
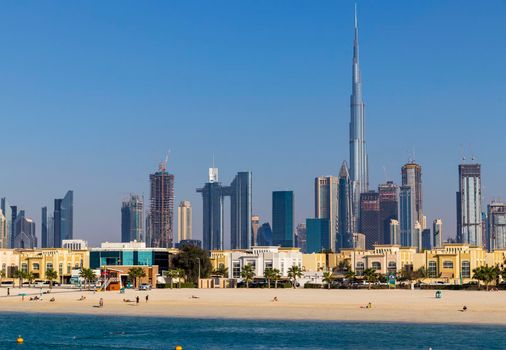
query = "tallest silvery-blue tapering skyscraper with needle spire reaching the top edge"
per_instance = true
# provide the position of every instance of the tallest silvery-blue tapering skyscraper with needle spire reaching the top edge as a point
(358, 155)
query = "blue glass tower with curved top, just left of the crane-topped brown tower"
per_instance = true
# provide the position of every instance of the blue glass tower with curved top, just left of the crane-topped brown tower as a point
(132, 219)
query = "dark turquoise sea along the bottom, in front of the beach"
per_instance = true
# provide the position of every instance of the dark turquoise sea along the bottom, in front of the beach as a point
(109, 332)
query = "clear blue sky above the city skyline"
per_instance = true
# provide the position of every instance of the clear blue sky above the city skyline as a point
(93, 94)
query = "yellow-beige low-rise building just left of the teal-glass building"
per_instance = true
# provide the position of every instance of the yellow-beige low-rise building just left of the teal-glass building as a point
(63, 261)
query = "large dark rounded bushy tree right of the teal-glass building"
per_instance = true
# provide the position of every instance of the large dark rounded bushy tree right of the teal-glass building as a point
(188, 259)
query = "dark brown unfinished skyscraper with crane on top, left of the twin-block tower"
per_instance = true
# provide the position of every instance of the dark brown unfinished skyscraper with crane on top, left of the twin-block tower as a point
(161, 208)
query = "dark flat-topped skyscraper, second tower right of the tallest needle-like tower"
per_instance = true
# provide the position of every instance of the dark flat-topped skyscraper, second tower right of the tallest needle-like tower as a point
(389, 208)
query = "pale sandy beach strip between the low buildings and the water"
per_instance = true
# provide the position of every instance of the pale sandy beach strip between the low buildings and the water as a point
(309, 304)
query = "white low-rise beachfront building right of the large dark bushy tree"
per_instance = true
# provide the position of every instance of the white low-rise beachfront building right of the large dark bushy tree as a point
(259, 257)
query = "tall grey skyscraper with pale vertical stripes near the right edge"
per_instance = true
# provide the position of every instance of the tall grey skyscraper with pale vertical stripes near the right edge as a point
(469, 223)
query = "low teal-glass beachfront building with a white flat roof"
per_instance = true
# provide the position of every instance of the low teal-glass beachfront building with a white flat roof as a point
(131, 254)
